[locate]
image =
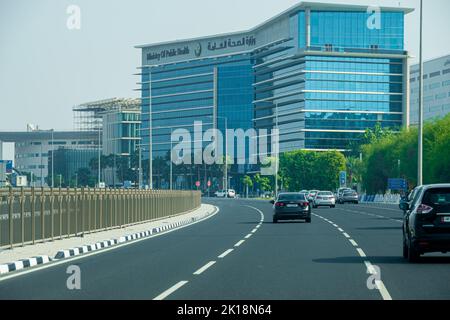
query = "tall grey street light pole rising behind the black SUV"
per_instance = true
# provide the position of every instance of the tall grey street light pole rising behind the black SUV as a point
(420, 147)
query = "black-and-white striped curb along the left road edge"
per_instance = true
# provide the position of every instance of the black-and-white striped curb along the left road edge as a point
(76, 251)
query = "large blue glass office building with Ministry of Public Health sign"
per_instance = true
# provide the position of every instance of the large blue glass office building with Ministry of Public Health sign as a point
(321, 73)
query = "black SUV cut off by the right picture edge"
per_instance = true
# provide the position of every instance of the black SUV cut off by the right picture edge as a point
(426, 224)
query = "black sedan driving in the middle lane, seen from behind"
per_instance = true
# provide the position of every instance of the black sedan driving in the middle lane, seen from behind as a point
(291, 206)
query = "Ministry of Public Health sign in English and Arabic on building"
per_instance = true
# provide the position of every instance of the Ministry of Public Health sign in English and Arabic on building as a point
(198, 49)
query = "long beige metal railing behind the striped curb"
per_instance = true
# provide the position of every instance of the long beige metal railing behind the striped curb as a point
(35, 215)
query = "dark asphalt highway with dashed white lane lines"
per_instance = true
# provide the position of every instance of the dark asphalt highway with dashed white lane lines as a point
(350, 252)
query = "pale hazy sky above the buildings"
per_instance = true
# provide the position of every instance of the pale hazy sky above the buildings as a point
(45, 68)
